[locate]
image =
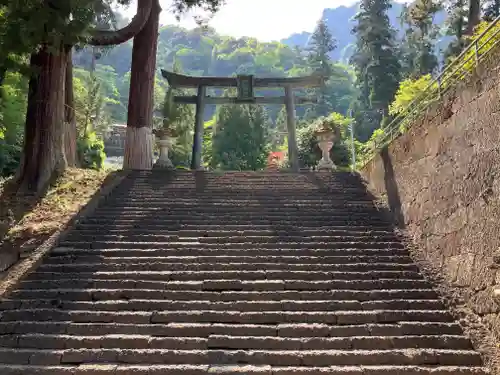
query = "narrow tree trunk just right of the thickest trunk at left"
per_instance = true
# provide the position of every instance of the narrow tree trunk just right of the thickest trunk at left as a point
(69, 114)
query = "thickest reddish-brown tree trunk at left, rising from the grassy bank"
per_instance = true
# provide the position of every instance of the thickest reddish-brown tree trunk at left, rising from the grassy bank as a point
(44, 153)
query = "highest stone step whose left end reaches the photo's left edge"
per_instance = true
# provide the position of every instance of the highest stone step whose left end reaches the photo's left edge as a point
(165, 305)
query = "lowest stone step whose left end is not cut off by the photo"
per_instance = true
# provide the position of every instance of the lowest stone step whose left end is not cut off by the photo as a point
(223, 296)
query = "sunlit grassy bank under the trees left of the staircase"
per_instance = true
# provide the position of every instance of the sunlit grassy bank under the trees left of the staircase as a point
(25, 222)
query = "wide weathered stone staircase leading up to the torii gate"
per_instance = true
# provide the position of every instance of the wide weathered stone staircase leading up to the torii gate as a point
(236, 273)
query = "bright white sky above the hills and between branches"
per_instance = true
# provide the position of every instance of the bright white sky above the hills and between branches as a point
(263, 19)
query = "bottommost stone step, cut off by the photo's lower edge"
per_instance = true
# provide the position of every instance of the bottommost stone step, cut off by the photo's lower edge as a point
(110, 369)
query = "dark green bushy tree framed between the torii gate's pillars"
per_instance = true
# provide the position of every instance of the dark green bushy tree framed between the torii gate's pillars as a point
(240, 140)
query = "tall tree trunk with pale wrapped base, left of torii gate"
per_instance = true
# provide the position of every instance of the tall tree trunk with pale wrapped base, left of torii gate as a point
(138, 142)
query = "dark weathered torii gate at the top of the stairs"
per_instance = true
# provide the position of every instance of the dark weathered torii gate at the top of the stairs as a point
(245, 85)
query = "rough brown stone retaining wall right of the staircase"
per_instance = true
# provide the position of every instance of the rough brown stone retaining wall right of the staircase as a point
(441, 181)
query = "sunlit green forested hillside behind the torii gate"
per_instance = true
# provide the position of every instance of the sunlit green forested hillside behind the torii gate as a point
(204, 52)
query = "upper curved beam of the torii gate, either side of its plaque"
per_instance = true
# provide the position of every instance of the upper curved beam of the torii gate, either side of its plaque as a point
(183, 81)
